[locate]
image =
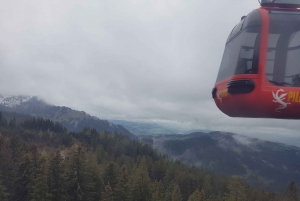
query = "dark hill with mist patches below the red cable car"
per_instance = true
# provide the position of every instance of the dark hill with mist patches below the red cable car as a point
(262, 163)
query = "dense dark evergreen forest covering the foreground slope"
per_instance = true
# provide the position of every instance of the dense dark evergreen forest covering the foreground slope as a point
(42, 161)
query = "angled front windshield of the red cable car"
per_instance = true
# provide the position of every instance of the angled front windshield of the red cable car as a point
(242, 48)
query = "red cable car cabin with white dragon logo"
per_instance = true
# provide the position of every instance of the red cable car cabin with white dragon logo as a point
(259, 76)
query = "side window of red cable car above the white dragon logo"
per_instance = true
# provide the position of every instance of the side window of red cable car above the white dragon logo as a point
(283, 56)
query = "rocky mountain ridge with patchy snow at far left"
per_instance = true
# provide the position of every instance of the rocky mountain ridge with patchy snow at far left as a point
(73, 120)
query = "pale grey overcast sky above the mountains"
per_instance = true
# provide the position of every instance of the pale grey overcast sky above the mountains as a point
(150, 60)
